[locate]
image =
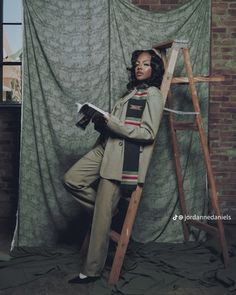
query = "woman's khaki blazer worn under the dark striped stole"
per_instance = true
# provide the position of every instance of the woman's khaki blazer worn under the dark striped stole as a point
(112, 163)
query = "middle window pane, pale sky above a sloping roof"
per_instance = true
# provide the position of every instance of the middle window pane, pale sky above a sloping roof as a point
(12, 42)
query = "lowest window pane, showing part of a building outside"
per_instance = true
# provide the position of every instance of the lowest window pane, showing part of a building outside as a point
(11, 83)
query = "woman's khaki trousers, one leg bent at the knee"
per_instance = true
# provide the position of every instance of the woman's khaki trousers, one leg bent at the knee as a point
(80, 180)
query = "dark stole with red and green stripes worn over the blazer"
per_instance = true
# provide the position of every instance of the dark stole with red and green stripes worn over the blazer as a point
(133, 118)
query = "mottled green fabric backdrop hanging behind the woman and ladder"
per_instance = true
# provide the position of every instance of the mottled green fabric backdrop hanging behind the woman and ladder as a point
(78, 51)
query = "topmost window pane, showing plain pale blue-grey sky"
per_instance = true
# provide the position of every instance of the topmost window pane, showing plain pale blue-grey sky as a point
(12, 11)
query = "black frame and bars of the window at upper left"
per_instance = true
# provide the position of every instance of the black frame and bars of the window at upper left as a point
(6, 63)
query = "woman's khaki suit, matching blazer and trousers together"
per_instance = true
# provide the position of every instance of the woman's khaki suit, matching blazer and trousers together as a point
(105, 163)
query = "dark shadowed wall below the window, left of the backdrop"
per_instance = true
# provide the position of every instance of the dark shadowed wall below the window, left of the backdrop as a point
(9, 165)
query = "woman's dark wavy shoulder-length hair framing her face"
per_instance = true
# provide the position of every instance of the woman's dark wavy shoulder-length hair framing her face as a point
(157, 71)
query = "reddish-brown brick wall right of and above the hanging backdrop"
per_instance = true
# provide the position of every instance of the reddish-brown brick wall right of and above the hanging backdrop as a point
(222, 108)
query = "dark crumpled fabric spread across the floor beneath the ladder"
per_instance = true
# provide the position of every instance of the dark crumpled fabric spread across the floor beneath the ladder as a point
(149, 269)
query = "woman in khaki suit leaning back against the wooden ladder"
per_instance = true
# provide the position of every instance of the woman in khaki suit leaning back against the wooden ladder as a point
(120, 160)
